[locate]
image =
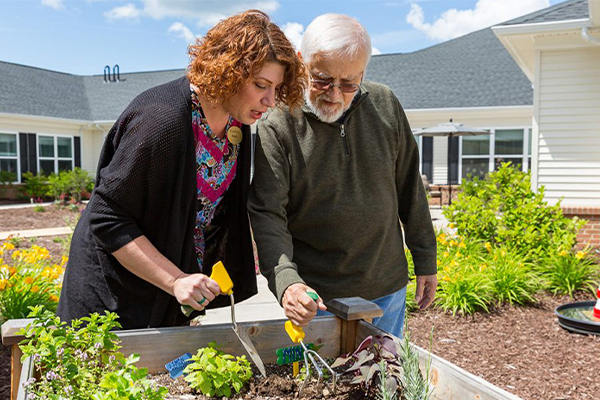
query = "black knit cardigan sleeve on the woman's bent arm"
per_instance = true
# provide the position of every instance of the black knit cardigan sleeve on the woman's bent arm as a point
(138, 158)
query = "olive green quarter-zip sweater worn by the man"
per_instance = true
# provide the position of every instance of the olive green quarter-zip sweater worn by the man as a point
(326, 200)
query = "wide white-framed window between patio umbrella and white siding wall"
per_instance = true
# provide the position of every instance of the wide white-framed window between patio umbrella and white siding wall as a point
(483, 153)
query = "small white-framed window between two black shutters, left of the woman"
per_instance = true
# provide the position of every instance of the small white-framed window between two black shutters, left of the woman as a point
(55, 154)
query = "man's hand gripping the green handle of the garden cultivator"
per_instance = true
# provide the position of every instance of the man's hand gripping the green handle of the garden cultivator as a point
(298, 306)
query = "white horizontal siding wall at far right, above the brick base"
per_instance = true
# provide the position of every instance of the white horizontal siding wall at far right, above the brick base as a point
(568, 119)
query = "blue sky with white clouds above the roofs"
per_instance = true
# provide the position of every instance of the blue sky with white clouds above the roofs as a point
(81, 37)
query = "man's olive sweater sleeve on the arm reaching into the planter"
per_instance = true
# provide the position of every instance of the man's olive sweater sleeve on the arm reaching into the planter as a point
(267, 203)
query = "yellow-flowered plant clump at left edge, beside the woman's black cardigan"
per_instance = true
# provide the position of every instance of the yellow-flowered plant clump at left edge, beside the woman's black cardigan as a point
(28, 277)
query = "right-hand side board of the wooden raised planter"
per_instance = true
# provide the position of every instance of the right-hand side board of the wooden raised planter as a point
(449, 380)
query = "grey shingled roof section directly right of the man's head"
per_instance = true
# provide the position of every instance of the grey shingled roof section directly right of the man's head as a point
(474, 70)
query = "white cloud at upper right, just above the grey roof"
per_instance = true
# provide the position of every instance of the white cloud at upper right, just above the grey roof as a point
(453, 23)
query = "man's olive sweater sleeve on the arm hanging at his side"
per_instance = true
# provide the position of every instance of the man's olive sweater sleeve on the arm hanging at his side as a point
(413, 208)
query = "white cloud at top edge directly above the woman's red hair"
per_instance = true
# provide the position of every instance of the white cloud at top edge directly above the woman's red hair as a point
(206, 12)
